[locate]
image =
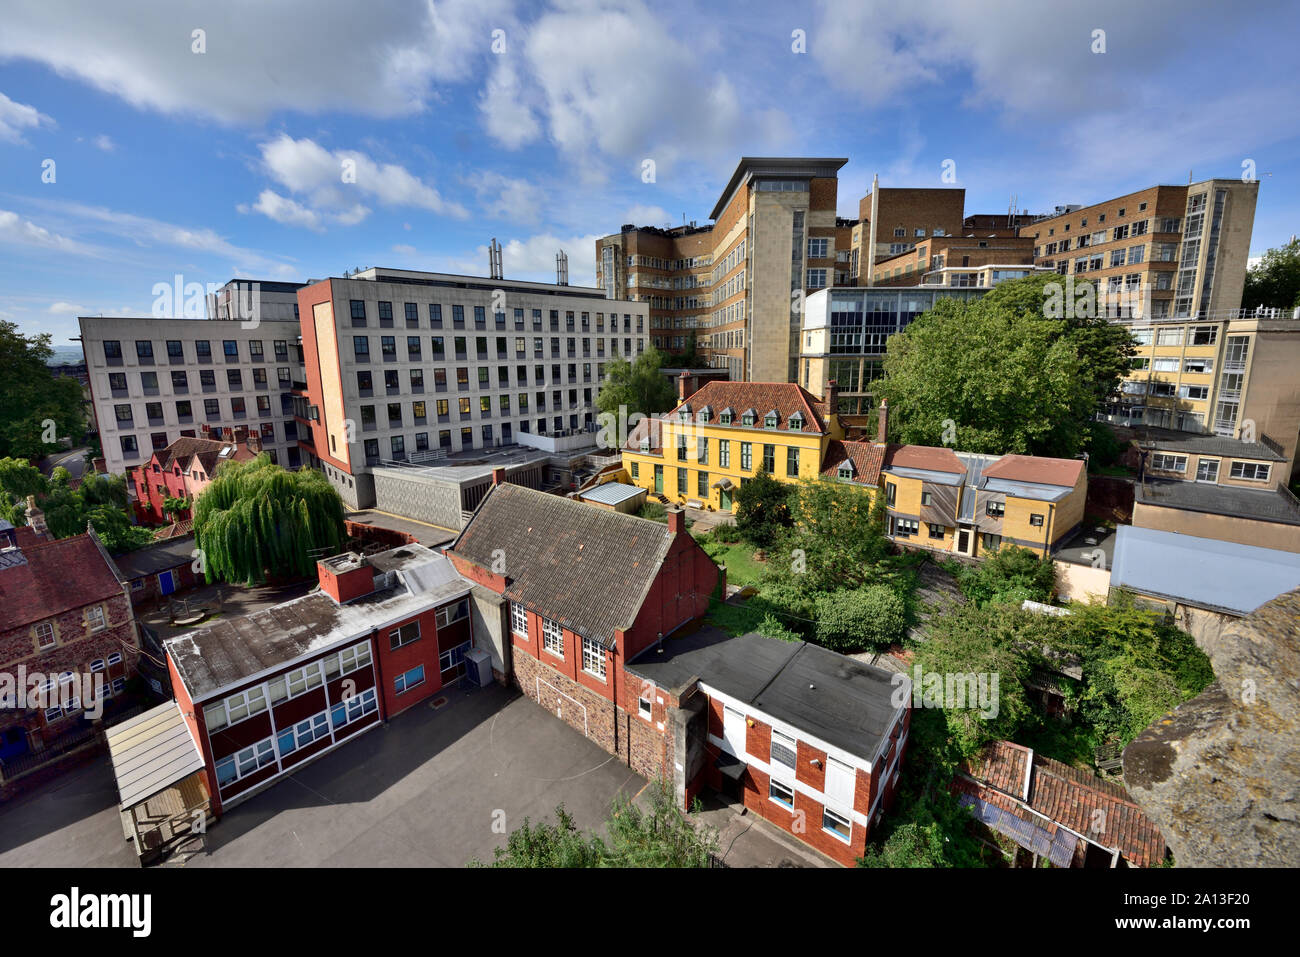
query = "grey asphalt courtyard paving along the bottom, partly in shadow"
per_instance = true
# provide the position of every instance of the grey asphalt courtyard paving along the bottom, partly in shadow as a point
(426, 791)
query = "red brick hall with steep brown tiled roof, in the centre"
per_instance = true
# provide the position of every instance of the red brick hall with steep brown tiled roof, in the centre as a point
(590, 590)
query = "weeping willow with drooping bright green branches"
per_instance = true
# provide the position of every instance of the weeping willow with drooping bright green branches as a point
(257, 521)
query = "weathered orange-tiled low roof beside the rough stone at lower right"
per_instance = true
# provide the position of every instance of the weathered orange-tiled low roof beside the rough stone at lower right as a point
(1067, 796)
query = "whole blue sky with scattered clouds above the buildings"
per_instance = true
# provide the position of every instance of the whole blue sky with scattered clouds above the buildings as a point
(298, 140)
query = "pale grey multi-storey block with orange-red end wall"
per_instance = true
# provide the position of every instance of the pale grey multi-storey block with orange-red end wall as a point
(413, 366)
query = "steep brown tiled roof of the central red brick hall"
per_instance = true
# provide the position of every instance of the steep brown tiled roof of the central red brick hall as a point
(588, 569)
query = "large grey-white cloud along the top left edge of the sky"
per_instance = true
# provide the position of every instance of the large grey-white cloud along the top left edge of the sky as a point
(298, 55)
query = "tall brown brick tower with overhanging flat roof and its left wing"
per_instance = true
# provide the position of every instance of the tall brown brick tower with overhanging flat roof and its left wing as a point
(740, 283)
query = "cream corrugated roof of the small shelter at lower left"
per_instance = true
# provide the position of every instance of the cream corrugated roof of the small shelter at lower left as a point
(151, 752)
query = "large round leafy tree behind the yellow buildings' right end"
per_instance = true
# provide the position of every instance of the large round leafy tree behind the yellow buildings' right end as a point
(998, 375)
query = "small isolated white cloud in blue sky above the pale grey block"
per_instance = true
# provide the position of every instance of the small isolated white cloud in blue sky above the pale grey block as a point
(332, 183)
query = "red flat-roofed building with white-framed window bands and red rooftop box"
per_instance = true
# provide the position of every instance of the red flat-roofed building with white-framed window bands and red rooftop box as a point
(270, 692)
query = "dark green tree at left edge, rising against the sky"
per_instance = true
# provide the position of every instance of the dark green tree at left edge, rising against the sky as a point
(32, 397)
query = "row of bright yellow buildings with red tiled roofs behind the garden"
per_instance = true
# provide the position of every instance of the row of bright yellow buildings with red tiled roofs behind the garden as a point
(703, 452)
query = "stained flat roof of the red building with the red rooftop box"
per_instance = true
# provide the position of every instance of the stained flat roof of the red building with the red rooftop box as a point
(232, 652)
